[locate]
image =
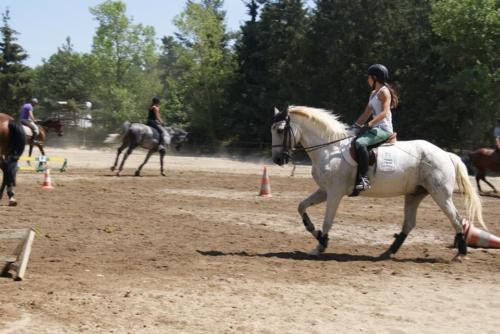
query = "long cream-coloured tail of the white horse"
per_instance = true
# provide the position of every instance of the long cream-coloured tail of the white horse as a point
(472, 200)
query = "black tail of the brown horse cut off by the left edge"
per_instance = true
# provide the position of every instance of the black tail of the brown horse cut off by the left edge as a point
(17, 142)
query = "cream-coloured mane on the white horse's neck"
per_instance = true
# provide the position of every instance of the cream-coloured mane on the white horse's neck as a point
(320, 121)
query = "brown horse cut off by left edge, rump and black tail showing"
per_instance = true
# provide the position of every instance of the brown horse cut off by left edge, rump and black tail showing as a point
(12, 142)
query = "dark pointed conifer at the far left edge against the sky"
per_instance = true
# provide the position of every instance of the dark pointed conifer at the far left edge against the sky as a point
(14, 76)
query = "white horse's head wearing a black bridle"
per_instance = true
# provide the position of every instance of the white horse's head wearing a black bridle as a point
(283, 137)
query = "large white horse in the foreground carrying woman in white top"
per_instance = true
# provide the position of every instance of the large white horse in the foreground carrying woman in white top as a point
(414, 169)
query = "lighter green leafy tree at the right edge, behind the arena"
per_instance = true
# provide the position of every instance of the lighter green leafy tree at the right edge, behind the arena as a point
(469, 78)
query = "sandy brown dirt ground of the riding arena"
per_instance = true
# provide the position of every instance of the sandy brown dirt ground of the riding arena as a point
(198, 252)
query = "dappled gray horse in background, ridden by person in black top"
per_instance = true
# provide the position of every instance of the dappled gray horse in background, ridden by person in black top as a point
(137, 134)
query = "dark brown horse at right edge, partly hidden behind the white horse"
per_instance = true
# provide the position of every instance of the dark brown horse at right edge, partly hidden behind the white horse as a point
(483, 159)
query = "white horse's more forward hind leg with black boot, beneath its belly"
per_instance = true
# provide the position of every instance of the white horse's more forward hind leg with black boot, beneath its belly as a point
(412, 201)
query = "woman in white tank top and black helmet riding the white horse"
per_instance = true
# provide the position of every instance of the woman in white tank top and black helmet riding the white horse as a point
(382, 99)
